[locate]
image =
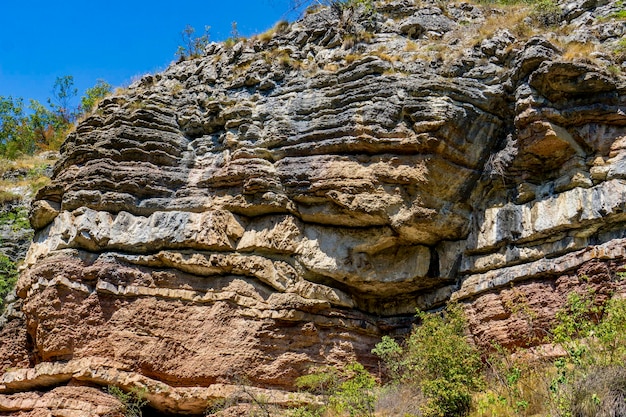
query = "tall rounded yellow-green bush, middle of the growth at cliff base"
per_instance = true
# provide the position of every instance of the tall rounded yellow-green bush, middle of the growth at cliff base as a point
(438, 359)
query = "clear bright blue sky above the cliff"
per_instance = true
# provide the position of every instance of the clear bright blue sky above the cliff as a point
(113, 40)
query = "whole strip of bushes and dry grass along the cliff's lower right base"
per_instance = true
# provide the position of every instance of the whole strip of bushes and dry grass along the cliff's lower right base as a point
(437, 372)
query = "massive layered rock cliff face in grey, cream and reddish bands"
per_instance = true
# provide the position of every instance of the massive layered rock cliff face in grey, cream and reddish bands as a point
(286, 201)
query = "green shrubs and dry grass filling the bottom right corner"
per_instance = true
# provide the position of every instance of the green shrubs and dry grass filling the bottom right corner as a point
(588, 379)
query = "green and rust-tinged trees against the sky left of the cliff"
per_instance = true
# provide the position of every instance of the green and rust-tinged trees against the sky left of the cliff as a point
(26, 129)
